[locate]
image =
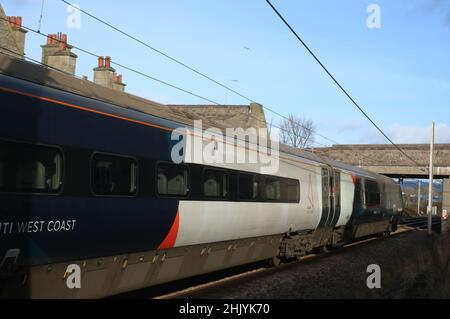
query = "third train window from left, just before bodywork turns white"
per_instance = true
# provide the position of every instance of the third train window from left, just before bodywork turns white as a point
(172, 180)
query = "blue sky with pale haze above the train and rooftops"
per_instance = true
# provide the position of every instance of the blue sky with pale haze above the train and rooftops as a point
(398, 73)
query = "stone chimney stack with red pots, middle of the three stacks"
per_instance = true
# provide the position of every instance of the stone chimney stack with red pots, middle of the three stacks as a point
(57, 53)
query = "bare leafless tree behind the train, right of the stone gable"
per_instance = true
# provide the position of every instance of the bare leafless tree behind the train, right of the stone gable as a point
(297, 132)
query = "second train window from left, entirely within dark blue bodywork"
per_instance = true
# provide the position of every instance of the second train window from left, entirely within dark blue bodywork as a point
(114, 175)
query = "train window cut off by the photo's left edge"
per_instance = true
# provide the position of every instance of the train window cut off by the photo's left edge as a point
(26, 168)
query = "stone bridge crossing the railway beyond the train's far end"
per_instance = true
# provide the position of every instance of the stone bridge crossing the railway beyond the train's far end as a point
(389, 161)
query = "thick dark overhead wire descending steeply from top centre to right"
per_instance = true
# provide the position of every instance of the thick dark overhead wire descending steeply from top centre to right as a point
(338, 84)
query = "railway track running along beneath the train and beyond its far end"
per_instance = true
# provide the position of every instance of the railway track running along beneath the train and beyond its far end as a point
(197, 286)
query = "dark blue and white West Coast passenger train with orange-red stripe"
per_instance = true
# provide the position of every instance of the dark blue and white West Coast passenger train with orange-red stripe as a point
(91, 184)
